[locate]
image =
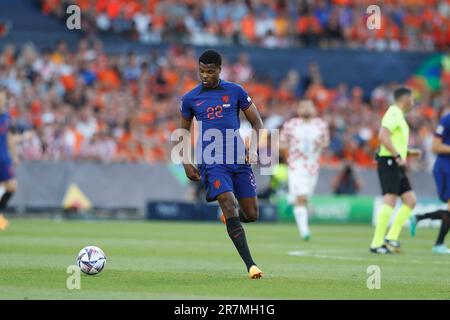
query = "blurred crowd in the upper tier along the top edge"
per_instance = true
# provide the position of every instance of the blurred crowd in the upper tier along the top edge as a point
(405, 24)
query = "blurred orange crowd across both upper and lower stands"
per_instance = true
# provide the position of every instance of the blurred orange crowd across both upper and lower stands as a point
(85, 102)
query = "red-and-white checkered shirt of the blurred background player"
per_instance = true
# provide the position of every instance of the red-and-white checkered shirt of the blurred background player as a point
(303, 140)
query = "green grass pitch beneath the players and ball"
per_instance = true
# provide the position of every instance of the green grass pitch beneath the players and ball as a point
(168, 260)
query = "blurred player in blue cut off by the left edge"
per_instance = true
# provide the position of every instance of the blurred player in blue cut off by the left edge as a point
(8, 156)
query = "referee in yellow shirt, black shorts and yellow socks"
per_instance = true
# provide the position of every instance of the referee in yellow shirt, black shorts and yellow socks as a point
(391, 160)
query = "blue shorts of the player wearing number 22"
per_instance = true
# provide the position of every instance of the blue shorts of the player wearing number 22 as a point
(236, 178)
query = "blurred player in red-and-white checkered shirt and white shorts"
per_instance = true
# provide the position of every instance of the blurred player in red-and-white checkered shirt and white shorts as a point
(302, 140)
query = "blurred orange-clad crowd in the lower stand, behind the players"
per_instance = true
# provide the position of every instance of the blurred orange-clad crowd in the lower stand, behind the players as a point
(87, 104)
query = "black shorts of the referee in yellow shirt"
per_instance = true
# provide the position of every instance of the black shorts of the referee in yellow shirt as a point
(393, 178)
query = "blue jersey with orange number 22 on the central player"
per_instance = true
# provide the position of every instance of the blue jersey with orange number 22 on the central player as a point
(216, 108)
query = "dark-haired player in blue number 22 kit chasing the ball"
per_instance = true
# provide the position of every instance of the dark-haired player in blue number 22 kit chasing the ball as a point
(225, 171)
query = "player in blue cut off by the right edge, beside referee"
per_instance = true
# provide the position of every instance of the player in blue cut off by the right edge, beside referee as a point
(441, 172)
